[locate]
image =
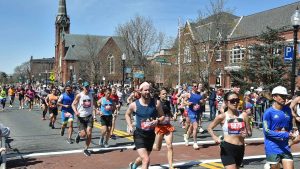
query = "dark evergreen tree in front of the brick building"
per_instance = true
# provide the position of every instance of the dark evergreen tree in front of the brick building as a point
(264, 66)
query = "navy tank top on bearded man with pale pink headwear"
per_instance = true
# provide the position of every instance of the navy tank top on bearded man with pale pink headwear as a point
(145, 114)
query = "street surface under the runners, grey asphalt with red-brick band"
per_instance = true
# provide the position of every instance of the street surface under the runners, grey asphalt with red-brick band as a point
(35, 145)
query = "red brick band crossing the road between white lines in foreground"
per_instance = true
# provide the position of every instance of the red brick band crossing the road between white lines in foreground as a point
(117, 159)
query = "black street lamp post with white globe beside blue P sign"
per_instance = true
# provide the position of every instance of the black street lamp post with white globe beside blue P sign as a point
(295, 22)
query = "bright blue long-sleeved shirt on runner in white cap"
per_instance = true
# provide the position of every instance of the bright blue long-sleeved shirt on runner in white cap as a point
(277, 125)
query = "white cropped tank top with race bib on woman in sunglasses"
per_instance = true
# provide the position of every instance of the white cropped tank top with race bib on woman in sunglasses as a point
(234, 125)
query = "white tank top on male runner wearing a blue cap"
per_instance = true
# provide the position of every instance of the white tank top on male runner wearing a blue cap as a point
(85, 106)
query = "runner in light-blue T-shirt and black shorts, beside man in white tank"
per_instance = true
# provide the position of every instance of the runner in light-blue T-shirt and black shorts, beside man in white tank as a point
(107, 108)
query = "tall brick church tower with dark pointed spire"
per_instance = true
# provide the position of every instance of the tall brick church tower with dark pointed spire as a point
(62, 27)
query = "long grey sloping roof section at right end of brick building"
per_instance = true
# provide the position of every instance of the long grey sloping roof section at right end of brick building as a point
(253, 25)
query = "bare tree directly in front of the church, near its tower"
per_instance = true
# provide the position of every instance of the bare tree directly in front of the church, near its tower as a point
(89, 62)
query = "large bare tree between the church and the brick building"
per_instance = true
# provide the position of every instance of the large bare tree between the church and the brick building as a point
(141, 39)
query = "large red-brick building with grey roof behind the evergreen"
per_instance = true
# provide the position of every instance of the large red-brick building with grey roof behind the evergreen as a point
(216, 45)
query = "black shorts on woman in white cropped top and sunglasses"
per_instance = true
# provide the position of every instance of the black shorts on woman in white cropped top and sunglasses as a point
(231, 153)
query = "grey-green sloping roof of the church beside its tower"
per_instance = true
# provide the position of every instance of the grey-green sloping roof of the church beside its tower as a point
(78, 45)
